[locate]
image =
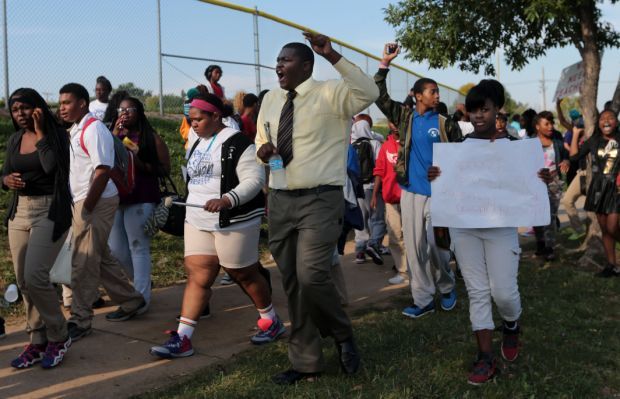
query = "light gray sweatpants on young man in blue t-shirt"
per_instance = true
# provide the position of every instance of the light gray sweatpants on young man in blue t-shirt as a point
(428, 263)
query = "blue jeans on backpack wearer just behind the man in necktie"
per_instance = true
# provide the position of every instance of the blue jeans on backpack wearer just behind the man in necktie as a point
(374, 222)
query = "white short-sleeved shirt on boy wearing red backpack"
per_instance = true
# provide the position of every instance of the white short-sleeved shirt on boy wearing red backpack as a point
(100, 145)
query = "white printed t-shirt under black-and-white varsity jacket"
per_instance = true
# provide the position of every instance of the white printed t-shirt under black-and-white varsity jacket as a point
(204, 169)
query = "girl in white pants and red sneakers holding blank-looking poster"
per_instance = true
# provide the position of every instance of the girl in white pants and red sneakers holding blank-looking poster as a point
(489, 257)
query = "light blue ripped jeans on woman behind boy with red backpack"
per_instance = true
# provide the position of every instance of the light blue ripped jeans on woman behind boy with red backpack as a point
(131, 246)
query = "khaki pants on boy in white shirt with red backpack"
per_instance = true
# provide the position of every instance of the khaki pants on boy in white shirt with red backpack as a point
(92, 263)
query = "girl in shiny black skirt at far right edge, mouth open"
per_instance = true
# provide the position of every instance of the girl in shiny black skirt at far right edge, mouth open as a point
(602, 197)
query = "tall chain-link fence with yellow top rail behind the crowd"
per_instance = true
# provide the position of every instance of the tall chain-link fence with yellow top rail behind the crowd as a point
(160, 46)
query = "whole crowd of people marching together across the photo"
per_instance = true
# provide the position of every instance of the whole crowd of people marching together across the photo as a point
(91, 174)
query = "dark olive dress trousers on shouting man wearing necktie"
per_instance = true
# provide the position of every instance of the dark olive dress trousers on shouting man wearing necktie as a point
(303, 231)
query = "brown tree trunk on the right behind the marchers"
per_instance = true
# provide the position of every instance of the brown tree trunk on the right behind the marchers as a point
(590, 55)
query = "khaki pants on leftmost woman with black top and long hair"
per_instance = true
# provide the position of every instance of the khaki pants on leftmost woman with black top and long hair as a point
(34, 253)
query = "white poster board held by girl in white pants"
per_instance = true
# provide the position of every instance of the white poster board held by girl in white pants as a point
(489, 184)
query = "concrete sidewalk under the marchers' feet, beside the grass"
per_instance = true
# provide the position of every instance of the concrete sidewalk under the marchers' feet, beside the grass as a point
(114, 360)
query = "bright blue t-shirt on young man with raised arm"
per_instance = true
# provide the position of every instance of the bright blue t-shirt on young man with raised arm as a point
(424, 132)
